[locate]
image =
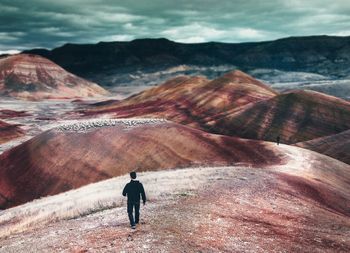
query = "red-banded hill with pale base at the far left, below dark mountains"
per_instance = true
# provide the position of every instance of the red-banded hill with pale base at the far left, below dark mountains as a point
(33, 77)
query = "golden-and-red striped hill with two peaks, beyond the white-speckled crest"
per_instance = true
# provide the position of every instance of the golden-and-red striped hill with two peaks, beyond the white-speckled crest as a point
(189, 100)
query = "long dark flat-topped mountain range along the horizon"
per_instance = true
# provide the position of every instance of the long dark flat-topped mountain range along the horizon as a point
(110, 63)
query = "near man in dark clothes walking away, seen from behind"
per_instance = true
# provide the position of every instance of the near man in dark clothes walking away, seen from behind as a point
(133, 190)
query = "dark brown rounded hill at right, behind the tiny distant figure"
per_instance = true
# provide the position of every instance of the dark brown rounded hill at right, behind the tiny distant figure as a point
(294, 116)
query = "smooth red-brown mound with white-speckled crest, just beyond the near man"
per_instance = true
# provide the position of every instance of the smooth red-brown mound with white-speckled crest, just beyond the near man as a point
(74, 155)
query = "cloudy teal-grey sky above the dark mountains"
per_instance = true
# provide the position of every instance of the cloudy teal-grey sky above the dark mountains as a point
(26, 24)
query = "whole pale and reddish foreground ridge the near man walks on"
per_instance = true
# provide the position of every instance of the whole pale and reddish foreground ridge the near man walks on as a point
(299, 205)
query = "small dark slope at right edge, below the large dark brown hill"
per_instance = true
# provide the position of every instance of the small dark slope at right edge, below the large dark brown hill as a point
(336, 146)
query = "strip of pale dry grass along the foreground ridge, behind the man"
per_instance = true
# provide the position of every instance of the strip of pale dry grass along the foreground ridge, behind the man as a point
(100, 196)
